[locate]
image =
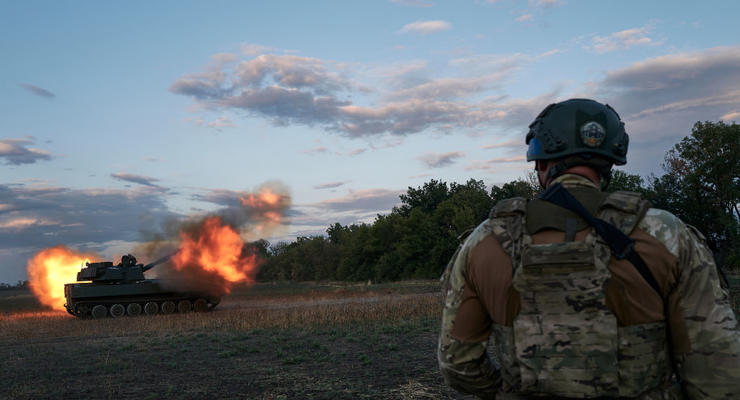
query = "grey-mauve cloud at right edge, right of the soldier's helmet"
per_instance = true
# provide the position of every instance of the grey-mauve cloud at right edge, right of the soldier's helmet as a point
(662, 97)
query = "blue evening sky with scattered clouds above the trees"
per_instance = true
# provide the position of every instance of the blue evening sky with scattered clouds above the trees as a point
(116, 117)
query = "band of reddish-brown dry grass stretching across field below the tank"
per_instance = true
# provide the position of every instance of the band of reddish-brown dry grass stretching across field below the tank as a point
(239, 313)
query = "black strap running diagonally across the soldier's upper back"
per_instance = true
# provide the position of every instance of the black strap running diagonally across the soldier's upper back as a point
(622, 245)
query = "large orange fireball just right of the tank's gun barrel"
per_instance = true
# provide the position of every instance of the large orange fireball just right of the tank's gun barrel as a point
(218, 250)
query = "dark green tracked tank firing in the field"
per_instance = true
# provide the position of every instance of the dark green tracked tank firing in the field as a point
(119, 290)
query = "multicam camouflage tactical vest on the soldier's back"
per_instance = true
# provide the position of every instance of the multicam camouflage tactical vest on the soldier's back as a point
(565, 341)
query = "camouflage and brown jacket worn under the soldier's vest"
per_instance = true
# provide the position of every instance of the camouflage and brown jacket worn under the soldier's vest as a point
(481, 299)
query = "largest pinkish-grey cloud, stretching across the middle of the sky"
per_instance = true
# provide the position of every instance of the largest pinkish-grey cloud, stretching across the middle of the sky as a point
(289, 89)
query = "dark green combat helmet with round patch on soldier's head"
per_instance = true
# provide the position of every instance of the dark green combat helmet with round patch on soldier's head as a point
(578, 127)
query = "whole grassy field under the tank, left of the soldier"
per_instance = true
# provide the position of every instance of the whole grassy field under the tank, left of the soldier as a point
(271, 341)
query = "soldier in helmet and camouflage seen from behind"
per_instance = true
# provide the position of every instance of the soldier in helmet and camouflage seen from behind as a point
(586, 294)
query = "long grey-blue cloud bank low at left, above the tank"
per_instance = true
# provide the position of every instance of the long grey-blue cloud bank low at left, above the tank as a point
(39, 217)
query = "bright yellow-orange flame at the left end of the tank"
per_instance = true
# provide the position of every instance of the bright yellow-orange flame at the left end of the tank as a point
(50, 269)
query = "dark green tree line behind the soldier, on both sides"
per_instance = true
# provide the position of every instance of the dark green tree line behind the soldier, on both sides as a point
(700, 185)
